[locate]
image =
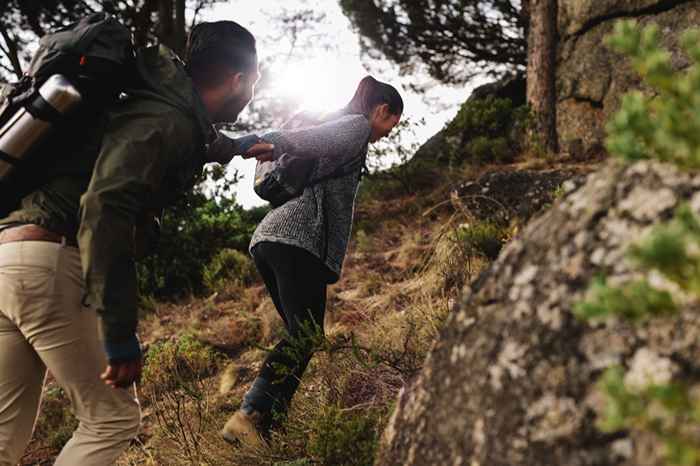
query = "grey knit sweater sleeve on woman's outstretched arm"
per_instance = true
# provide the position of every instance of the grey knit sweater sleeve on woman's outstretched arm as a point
(332, 144)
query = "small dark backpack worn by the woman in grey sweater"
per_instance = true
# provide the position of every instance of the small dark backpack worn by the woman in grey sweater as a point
(286, 177)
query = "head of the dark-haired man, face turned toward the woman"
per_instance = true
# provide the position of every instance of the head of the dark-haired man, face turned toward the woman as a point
(222, 60)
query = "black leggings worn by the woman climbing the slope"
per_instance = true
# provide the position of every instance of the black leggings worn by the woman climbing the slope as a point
(296, 280)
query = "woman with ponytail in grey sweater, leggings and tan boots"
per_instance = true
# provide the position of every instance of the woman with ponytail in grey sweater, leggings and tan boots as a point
(299, 246)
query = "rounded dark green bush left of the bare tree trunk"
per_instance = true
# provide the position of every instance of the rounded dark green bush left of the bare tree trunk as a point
(488, 130)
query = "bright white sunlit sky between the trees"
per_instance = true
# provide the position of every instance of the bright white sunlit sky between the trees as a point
(324, 68)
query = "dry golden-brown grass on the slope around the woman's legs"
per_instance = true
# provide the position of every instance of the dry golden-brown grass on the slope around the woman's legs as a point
(401, 278)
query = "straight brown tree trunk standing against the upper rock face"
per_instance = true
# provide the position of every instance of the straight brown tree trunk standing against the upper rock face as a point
(541, 70)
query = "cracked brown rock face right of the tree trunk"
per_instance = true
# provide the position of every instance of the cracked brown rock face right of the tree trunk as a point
(591, 79)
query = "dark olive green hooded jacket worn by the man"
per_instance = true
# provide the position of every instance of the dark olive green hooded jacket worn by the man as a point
(147, 150)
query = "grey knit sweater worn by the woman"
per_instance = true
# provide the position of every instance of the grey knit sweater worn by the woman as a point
(319, 220)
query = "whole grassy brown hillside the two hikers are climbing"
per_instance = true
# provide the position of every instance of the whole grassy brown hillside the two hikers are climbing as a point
(408, 261)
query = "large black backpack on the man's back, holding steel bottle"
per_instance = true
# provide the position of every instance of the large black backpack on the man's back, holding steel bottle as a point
(95, 56)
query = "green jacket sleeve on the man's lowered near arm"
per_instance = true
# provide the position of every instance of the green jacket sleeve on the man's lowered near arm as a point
(137, 149)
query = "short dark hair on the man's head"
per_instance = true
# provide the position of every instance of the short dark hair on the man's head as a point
(215, 48)
